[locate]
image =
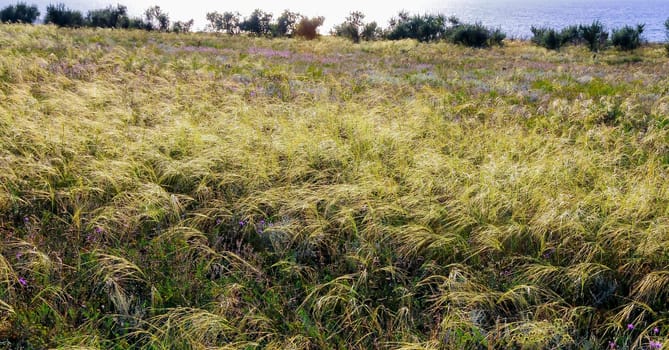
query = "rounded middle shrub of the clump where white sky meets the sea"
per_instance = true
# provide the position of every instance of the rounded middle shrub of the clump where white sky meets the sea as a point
(423, 28)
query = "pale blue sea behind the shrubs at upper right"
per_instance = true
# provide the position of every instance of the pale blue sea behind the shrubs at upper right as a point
(516, 17)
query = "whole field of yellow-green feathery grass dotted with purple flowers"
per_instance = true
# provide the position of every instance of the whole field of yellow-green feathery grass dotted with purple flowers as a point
(166, 191)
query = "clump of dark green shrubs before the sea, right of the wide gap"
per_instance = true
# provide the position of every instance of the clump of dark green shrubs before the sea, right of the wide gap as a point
(594, 36)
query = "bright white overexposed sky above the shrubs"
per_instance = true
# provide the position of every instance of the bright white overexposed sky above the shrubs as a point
(333, 11)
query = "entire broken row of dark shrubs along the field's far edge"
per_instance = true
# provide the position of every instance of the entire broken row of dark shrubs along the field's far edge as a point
(424, 28)
